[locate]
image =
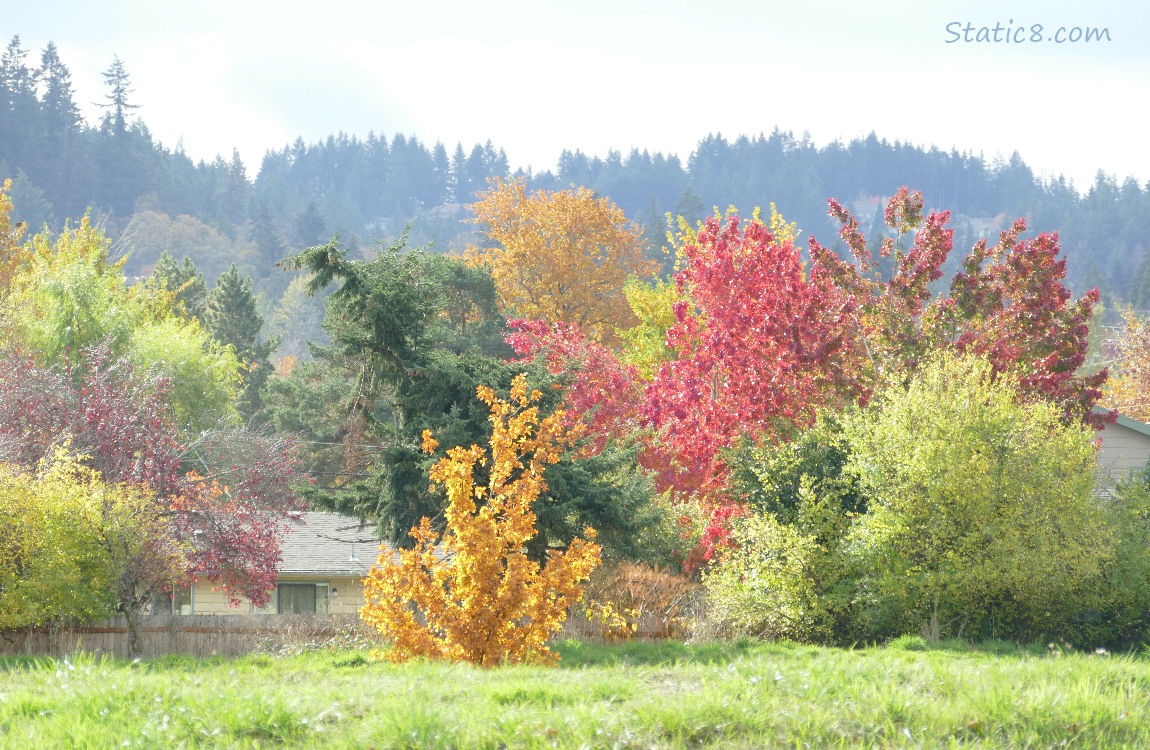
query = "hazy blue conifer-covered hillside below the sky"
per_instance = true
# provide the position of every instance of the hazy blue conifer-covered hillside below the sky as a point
(154, 197)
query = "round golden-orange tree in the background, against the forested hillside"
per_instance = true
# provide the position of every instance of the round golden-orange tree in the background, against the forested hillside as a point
(562, 257)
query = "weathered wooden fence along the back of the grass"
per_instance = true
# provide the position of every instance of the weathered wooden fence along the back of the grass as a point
(205, 636)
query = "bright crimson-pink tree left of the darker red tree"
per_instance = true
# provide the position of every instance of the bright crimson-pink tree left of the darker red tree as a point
(768, 347)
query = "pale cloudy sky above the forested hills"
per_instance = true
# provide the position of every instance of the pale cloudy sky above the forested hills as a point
(539, 78)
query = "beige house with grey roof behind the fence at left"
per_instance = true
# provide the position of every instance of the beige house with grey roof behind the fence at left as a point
(325, 558)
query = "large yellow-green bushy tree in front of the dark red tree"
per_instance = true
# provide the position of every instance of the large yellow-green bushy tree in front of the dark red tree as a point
(983, 518)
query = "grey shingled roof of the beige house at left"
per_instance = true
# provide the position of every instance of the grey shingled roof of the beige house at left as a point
(328, 545)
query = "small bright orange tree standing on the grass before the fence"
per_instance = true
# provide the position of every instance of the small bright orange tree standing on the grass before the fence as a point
(472, 594)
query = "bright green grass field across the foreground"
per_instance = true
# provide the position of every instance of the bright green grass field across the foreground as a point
(628, 697)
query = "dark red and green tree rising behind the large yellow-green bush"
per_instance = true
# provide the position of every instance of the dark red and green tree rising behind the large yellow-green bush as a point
(1008, 303)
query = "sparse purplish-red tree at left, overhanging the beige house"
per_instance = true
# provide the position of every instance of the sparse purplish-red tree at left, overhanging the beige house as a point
(225, 498)
